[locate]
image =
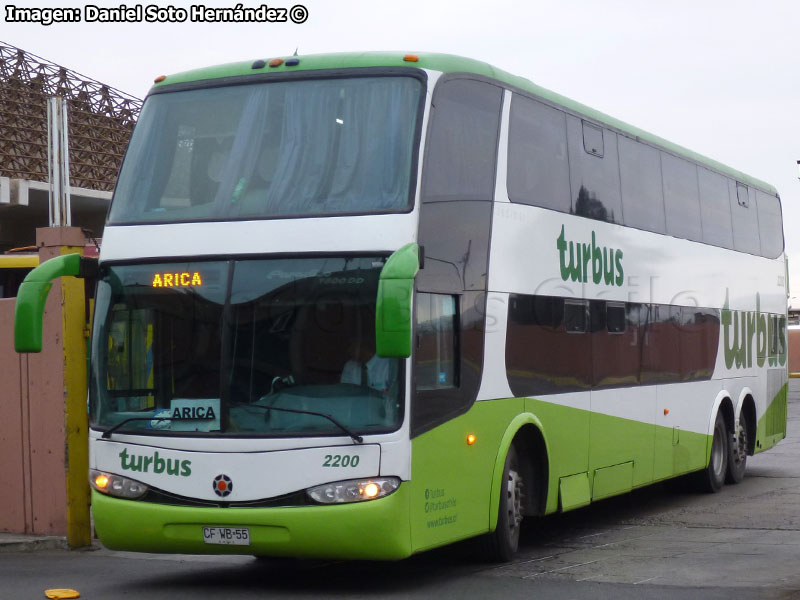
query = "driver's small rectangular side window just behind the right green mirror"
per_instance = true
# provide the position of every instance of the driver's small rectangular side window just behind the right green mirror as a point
(437, 342)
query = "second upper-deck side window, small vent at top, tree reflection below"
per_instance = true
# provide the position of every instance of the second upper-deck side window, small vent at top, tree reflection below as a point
(594, 180)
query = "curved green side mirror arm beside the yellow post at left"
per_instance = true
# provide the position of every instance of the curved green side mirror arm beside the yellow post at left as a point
(32, 295)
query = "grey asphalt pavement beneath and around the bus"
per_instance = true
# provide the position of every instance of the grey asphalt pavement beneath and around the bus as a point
(664, 541)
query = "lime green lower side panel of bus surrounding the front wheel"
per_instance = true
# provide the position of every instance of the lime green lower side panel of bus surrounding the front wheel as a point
(454, 485)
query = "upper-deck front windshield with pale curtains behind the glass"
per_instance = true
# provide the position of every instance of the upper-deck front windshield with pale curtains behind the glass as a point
(287, 148)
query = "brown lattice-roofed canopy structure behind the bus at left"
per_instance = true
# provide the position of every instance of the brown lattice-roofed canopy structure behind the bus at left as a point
(100, 119)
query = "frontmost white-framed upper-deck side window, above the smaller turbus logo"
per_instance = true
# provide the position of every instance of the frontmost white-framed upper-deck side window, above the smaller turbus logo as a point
(538, 168)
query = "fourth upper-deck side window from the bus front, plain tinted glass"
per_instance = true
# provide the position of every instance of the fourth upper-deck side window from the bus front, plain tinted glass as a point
(681, 198)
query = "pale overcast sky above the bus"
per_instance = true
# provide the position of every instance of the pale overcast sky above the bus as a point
(719, 77)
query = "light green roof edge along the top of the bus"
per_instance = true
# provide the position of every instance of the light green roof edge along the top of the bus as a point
(448, 63)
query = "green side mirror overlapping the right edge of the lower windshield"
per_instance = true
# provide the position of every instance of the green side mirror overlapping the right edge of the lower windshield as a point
(393, 308)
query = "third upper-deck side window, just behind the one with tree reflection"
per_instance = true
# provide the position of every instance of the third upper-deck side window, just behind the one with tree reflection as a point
(642, 197)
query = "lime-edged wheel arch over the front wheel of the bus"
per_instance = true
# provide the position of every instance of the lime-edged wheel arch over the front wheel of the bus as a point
(527, 433)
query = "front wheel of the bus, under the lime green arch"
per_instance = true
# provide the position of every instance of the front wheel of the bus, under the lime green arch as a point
(502, 544)
